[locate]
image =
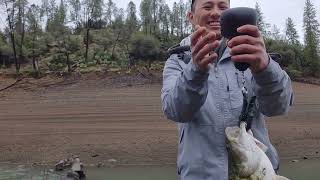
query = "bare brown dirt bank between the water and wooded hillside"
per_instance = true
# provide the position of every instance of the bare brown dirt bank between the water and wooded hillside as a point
(43, 121)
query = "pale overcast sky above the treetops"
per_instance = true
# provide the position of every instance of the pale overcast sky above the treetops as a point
(275, 11)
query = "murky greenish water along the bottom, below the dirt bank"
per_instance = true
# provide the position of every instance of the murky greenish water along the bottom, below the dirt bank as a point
(301, 170)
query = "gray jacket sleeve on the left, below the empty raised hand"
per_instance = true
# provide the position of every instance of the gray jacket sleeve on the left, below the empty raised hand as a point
(184, 90)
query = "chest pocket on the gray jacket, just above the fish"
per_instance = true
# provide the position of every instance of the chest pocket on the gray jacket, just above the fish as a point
(234, 89)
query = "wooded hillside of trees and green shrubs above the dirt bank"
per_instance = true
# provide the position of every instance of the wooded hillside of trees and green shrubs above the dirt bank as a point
(78, 34)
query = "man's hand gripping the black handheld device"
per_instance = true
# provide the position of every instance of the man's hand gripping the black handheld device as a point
(249, 48)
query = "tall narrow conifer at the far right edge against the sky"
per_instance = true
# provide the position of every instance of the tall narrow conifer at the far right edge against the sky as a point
(311, 39)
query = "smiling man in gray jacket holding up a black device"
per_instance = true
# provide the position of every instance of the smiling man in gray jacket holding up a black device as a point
(205, 97)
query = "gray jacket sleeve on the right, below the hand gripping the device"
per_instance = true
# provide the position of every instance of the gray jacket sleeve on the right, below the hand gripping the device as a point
(273, 89)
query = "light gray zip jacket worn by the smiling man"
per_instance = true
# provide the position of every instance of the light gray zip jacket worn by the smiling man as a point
(204, 104)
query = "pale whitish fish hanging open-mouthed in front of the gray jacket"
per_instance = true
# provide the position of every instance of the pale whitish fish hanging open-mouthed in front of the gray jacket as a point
(247, 157)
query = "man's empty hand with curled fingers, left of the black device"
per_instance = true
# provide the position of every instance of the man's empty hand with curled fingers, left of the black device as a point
(202, 47)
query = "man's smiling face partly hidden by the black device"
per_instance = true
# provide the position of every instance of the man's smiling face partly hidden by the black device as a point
(207, 13)
